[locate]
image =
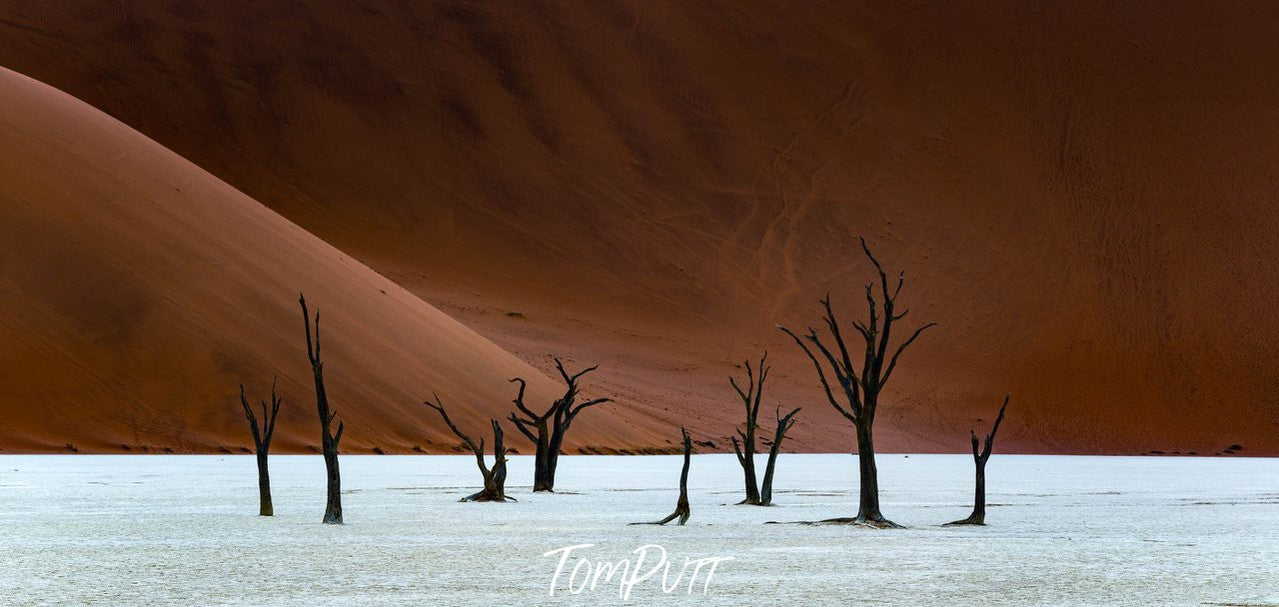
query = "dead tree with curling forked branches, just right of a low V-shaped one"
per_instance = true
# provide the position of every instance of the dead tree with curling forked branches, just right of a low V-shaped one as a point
(547, 430)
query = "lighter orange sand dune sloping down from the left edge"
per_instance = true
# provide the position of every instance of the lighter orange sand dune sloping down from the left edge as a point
(137, 291)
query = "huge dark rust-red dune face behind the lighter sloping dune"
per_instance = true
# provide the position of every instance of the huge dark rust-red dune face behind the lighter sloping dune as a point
(1083, 196)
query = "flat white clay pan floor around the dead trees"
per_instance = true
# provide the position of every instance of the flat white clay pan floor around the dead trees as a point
(1063, 531)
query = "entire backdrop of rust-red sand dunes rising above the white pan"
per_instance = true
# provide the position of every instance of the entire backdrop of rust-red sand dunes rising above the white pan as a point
(1081, 196)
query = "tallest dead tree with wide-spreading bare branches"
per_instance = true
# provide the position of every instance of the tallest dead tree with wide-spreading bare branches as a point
(861, 389)
